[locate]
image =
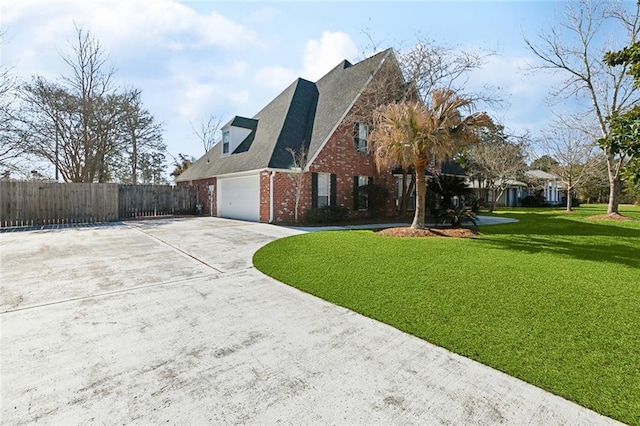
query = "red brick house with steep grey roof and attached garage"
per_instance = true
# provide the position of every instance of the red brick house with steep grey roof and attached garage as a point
(250, 174)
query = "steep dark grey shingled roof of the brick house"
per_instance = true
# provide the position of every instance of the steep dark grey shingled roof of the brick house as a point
(305, 112)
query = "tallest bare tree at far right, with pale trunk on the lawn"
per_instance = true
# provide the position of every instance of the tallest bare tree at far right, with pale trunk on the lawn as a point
(575, 50)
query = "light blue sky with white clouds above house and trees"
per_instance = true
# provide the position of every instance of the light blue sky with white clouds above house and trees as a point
(192, 59)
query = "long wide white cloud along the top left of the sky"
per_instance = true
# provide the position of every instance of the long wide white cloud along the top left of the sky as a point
(128, 25)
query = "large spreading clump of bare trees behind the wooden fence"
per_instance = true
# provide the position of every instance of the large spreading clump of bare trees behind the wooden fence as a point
(81, 124)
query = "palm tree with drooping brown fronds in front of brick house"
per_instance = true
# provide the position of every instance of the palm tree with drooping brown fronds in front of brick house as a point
(412, 133)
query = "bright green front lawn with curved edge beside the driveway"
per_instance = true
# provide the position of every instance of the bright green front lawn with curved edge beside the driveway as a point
(553, 299)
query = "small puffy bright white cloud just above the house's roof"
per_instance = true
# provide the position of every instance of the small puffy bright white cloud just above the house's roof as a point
(322, 55)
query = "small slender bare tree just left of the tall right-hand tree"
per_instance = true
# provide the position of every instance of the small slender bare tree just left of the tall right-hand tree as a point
(573, 151)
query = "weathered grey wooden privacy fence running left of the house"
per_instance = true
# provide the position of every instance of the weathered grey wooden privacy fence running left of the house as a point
(45, 203)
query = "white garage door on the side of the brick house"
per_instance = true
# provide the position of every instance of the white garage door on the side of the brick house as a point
(239, 198)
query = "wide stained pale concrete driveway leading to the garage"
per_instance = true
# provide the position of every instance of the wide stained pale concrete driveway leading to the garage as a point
(166, 321)
